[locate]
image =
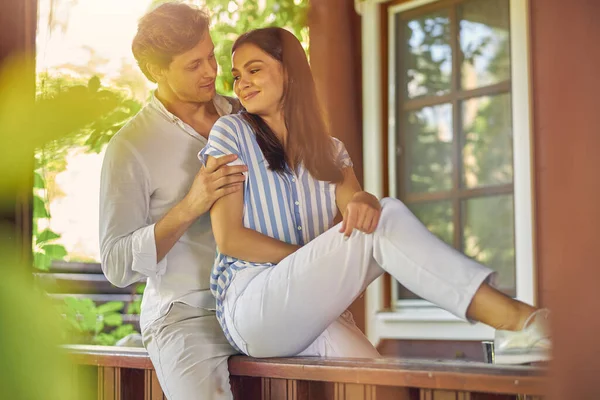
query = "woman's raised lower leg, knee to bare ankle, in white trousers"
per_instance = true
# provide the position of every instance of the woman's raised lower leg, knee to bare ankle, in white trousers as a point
(438, 273)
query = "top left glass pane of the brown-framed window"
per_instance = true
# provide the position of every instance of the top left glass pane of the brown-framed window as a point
(427, 55)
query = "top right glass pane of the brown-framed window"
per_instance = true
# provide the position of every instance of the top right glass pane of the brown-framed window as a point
(485, 42)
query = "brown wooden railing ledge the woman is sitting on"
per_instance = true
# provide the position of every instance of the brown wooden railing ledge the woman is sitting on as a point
(417, 373)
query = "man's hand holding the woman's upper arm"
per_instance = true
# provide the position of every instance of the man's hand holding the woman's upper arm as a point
(212, 182)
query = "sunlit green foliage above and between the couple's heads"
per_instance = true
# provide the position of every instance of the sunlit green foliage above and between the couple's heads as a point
(231, 18)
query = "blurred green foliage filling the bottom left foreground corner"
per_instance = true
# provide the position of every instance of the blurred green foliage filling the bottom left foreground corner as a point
(32, 364)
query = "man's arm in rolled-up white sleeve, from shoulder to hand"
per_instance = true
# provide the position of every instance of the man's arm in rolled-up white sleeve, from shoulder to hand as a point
(131, 248)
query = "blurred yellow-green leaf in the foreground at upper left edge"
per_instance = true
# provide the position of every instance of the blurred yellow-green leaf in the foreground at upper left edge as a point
(28, 124)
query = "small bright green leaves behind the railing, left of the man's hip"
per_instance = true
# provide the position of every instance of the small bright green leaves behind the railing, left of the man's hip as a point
(88, 323)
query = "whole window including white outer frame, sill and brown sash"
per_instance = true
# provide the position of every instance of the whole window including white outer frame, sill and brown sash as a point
(456, 128)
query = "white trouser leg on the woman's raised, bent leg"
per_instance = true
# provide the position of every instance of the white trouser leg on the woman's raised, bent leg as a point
(279, 311)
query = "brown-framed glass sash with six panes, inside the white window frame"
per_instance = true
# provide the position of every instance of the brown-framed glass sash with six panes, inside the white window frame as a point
(453, 142)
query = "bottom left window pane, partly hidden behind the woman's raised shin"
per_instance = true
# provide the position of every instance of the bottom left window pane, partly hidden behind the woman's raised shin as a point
(437, 217)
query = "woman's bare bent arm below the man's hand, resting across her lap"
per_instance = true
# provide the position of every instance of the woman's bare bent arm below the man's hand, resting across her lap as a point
(234, 240)
